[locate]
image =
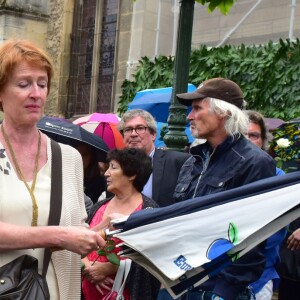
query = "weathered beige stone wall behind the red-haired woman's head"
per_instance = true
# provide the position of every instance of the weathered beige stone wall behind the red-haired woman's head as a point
(48, 24)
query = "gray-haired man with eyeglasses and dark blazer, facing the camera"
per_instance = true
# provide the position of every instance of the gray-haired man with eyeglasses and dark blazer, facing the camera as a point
(138, 128)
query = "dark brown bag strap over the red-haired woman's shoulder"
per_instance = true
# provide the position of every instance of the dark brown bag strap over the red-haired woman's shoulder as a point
(55, 197)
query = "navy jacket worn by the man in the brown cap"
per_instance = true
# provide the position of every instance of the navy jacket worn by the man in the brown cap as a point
(234, 163)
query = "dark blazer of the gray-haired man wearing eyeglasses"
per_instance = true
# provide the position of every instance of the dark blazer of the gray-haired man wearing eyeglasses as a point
(166, 168)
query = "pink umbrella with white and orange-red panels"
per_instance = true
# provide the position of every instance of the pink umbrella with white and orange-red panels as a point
(105, 126)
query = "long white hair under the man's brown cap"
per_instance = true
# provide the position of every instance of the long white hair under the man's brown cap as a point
(236, 121)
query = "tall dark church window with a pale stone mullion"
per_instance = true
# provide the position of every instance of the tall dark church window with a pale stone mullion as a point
(92, 57)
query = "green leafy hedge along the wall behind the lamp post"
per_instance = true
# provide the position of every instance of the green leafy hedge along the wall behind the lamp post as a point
(269, 75)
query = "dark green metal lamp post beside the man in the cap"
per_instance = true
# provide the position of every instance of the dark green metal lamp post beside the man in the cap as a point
(176, 138)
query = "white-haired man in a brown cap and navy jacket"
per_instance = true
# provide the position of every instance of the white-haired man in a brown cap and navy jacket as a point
(226, 160)
